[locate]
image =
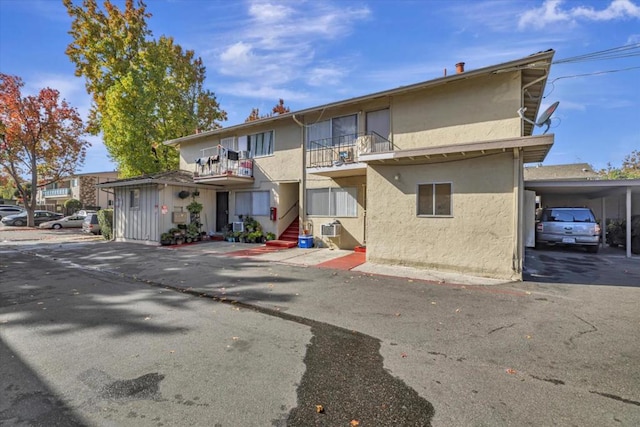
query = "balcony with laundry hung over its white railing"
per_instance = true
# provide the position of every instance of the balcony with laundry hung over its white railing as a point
(222, 170)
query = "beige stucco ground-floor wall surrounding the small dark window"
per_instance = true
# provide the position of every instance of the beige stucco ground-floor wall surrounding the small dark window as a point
(478, 238)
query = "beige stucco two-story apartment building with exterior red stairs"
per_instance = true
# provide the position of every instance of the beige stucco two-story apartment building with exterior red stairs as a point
(427, 175)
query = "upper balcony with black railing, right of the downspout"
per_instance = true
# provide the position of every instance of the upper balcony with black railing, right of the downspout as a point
(339, 156)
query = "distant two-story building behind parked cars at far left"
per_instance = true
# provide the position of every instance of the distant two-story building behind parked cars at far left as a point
(80, 187)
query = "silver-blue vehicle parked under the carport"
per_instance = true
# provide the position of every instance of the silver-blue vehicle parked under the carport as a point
(568, 226)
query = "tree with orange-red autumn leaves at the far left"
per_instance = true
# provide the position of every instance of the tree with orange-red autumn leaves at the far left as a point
(40, 138)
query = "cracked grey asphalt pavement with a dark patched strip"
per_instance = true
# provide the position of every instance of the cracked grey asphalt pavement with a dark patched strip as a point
(100, 333)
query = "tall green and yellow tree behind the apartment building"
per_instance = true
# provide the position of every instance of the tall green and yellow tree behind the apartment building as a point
(144, 91)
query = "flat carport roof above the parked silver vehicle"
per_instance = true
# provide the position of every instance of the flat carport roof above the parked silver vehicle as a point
(591, 189)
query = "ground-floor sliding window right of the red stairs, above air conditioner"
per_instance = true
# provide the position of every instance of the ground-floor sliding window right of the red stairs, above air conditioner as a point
(341, 202)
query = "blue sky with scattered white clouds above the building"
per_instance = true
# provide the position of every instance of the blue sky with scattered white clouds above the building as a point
(312, 52)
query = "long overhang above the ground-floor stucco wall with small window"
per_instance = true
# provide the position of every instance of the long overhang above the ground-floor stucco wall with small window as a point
(533, 149)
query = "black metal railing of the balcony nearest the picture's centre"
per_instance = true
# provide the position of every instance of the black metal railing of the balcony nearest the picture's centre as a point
(344, 149)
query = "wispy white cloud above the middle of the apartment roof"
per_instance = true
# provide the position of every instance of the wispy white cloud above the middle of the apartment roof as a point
(278, 43)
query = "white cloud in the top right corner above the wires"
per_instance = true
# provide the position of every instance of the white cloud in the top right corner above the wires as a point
(551, 12)
